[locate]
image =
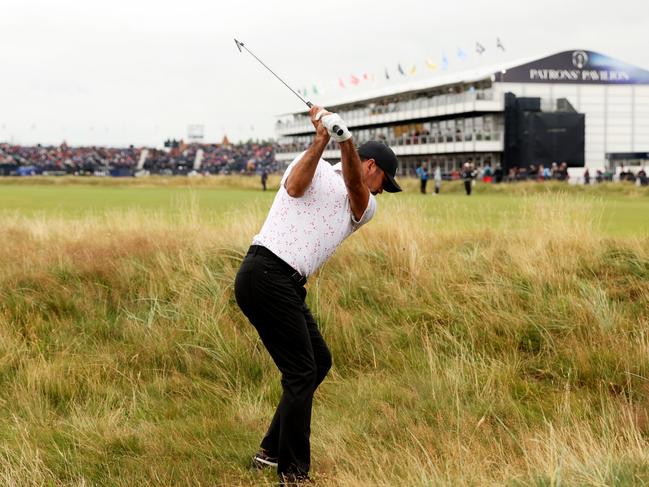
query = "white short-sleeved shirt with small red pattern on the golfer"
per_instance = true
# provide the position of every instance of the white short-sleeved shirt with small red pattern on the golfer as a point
(304, 232)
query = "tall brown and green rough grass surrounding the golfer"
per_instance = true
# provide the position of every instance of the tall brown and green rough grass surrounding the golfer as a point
(513, 355)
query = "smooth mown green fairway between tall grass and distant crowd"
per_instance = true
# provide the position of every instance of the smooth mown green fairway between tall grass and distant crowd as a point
(613, 213)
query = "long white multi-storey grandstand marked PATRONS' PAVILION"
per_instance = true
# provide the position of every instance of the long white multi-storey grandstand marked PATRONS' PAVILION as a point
(578, 107)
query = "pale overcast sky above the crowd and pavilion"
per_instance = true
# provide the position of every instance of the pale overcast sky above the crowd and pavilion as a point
(125, 72)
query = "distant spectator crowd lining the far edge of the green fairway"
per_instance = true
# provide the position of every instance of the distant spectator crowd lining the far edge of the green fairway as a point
(179, 158)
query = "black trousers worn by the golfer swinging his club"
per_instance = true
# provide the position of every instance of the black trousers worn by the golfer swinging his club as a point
(274, 304)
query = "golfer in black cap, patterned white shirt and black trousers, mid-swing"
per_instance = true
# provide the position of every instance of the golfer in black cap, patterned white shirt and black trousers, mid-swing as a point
(317, 206)
